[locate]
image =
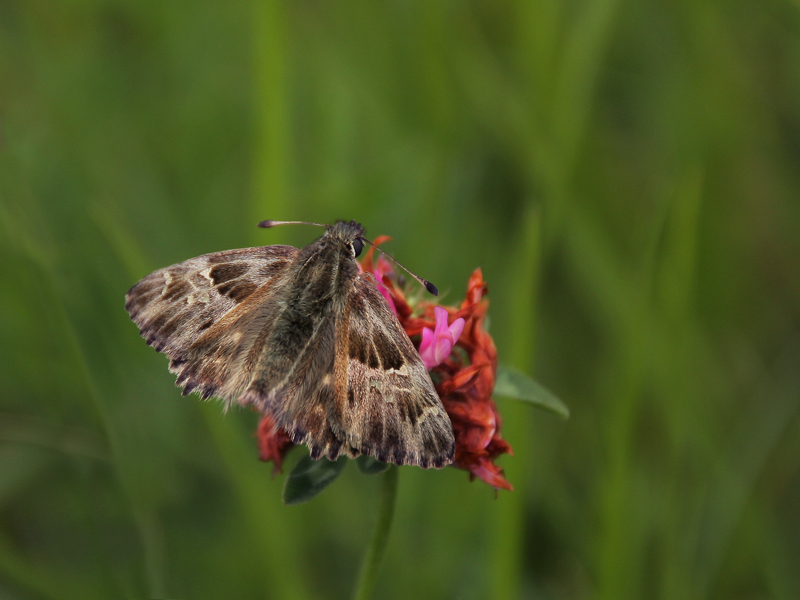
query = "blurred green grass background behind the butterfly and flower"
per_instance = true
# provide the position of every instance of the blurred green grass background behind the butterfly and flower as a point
(627, 174)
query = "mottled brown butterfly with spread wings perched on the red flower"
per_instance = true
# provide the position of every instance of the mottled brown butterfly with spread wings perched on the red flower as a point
(304, 337)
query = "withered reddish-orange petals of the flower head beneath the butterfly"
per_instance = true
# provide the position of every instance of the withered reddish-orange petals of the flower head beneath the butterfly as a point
(464, 381)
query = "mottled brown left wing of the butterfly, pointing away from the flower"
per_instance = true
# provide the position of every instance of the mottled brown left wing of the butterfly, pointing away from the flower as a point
(199, 313)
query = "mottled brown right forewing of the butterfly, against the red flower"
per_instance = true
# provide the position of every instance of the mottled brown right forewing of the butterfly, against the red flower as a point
(390, 410)
